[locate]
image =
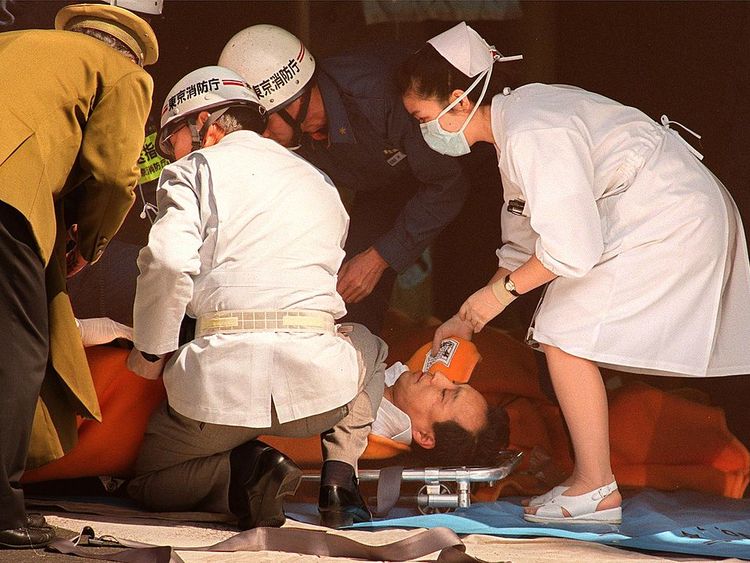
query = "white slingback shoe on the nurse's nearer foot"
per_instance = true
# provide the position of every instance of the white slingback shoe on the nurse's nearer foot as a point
(579, 509)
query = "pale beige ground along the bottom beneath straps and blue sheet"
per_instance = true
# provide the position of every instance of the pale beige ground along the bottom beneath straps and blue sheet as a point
(487, 548)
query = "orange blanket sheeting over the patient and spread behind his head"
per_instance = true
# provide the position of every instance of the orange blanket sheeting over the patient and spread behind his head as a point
(659, 439)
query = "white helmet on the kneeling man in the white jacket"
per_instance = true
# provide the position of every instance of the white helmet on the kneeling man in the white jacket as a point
(210, 88)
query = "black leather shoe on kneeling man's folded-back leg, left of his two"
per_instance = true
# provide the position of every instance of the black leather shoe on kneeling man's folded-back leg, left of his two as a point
(260, 478)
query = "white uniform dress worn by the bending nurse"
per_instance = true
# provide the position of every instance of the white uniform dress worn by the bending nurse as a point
(647, 243)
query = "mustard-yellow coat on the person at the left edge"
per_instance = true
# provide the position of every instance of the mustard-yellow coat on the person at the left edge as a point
(73, 113)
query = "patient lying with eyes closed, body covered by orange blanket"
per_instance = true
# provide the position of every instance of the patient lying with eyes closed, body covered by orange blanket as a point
(439, 422)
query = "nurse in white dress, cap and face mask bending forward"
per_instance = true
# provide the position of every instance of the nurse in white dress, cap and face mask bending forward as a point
(641, 244)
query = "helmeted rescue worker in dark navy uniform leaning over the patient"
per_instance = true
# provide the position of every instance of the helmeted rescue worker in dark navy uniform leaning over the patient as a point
(345, 117)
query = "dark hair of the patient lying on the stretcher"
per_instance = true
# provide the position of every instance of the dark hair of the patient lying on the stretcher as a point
(456, 446)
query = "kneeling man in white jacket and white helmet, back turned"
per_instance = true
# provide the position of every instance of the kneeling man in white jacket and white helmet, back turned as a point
(248, 241)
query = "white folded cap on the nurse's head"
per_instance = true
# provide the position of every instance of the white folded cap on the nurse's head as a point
(465, 49)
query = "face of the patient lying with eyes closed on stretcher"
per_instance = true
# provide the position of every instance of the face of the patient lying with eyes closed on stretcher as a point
(429, 398)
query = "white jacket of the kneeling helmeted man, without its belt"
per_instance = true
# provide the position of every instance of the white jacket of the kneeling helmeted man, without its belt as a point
(245, 224)
